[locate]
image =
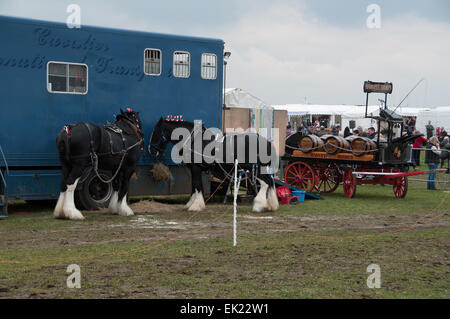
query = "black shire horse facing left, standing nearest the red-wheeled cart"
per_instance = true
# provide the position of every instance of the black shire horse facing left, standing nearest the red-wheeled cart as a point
(246, 147)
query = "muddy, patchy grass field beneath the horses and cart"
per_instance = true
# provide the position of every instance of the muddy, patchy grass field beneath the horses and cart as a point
(316, 249)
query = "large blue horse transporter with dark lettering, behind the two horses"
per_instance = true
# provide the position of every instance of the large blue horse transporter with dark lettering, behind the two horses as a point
(52, 75)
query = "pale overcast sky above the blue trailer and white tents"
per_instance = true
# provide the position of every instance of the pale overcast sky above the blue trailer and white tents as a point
(292, 51)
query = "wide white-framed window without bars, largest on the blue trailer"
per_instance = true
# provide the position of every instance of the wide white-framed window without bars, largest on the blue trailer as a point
(67, 78)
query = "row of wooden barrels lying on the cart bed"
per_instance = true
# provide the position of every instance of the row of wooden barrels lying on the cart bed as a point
(357, 145)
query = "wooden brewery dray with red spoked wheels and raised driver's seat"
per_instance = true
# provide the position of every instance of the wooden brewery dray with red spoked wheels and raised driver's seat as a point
(319, 169)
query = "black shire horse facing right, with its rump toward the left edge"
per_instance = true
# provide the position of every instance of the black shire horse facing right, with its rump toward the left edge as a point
(115, 148)
